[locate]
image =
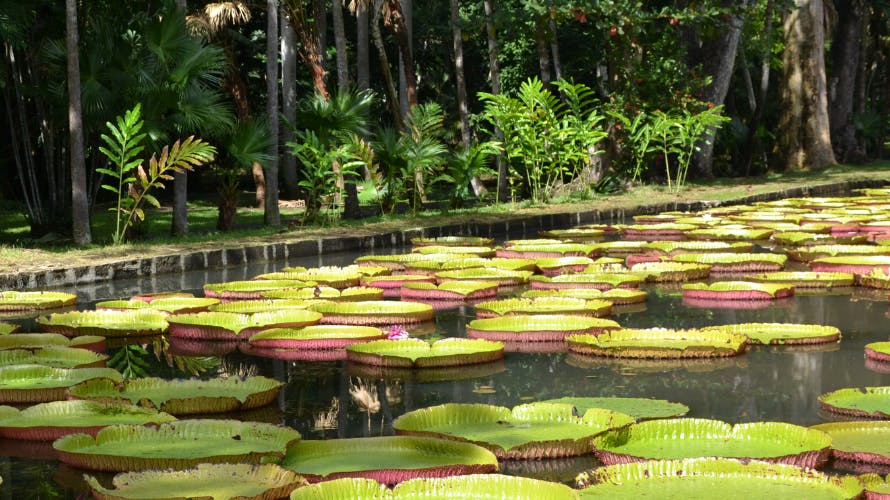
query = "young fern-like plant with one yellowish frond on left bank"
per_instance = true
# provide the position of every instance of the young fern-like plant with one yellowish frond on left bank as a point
(123, 150)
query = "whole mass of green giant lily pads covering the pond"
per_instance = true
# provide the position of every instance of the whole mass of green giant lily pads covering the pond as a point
(549, 294)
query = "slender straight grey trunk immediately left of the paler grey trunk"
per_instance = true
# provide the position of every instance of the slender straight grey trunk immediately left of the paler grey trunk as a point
(271, 215)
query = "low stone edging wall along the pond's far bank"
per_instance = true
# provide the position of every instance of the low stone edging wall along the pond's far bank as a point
(313, 246)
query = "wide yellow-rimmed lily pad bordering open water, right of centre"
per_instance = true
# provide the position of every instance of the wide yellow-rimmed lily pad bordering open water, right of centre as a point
(659, 343)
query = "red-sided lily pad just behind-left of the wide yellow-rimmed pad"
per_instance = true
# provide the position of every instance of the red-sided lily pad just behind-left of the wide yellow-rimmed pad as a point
(543, 305)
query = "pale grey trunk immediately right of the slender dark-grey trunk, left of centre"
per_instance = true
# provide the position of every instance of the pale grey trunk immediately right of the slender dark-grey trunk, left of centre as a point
(288, 103)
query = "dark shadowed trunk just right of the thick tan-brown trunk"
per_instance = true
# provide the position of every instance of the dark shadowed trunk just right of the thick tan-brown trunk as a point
(845, 54)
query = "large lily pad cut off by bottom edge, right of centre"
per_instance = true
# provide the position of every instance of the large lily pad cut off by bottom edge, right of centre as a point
(714, 478)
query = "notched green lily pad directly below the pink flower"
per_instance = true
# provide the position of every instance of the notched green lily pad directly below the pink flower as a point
(417, 353)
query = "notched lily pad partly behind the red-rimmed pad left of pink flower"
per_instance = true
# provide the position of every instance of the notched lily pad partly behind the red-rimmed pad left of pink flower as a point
(231, 326)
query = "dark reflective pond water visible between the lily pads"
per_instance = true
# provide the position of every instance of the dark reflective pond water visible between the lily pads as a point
(332, 400)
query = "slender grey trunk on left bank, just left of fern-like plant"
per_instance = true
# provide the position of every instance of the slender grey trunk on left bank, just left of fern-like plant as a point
(80, 207)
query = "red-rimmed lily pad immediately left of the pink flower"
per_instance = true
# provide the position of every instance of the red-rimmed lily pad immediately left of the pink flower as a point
(316, 337)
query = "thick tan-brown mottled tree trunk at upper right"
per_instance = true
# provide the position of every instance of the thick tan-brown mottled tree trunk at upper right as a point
(804, 136)
